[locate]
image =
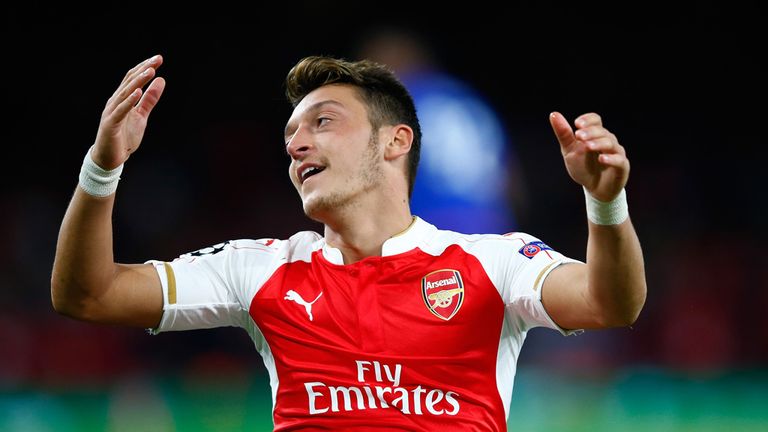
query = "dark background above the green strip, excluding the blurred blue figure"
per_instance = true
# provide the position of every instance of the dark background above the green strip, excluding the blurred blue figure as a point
(682, 88)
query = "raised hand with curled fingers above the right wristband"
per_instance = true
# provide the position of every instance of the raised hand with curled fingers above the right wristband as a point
(592, 155)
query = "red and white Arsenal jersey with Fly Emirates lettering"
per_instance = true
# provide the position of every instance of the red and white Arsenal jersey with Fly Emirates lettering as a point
(425, 337)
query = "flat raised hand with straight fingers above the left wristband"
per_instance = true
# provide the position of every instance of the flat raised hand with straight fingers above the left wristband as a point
(124, 118)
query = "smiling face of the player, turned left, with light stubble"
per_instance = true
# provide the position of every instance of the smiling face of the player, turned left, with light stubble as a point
(335, 156)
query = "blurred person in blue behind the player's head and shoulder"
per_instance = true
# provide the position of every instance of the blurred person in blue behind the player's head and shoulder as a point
(464, 140)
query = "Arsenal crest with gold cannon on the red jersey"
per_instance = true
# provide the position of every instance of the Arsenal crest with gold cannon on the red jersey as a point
(443, 292)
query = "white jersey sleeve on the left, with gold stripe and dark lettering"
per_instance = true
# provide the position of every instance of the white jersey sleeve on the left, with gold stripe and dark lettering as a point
(213, 287)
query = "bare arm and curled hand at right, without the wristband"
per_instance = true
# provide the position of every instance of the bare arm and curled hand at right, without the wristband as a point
(610, 289)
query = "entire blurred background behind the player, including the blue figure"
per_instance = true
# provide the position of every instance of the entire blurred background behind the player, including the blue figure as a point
(682, 88)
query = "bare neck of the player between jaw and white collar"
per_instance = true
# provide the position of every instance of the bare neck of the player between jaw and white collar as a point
(358, 234)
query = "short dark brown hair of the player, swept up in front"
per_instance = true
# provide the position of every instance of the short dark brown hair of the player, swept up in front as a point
(388, 101)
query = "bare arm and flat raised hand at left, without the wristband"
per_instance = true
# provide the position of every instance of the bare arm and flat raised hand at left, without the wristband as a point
(86, 283)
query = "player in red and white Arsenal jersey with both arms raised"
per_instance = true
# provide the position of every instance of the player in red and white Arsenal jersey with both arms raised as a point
(384, 321)
